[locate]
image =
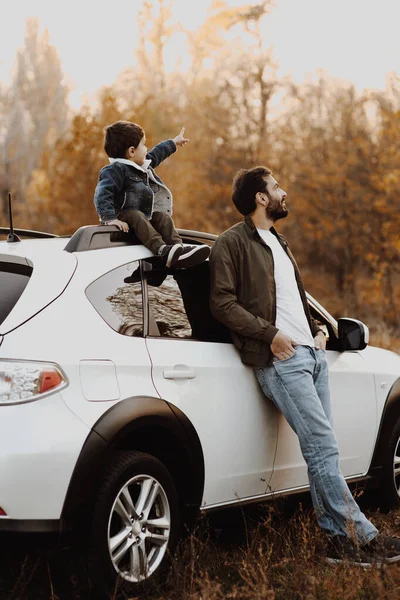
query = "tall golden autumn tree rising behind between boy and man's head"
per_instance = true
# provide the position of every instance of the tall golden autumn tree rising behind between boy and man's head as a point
(226, 112)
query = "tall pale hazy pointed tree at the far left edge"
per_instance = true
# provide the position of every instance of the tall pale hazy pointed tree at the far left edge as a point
(33, 114)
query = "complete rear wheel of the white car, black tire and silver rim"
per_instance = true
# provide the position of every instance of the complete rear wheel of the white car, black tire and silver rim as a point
(110, 525)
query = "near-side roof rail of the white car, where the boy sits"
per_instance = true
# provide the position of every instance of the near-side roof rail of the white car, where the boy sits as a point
(96, 237)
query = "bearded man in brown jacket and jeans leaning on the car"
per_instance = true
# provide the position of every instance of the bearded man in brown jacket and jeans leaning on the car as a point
(257, 292)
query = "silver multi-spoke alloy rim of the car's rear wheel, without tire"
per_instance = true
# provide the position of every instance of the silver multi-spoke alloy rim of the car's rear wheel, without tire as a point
(139, 528)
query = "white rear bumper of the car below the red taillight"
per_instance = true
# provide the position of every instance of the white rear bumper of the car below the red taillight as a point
(39, 445)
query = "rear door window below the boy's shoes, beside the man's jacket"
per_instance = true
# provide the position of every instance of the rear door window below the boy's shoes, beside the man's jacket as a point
(179, 306)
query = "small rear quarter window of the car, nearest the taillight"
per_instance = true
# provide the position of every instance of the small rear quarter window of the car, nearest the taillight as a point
(117, 297)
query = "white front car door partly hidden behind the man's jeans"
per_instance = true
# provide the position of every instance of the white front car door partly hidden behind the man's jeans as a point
(353, 408)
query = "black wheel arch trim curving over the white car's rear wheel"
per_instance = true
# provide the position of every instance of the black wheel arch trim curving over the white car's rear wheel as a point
(148, 425)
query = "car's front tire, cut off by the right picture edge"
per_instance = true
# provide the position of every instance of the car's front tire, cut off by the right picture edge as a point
(389, 489)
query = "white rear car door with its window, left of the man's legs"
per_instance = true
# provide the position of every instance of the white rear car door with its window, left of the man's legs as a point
(193, 369)
